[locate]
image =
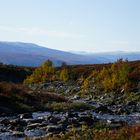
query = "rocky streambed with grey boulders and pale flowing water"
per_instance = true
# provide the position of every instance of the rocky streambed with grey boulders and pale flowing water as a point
(109, 110)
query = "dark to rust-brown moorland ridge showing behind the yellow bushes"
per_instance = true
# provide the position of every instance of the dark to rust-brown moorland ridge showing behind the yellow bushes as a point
(17, 74)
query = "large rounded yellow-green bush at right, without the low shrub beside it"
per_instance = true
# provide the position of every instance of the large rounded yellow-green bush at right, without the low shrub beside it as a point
(114, 78)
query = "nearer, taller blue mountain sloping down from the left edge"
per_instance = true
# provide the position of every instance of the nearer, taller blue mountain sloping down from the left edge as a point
(28, 54)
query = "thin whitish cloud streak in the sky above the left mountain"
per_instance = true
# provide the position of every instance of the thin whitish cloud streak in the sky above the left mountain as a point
(40, 32)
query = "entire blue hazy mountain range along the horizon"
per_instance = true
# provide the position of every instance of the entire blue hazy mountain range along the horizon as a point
(28, 54)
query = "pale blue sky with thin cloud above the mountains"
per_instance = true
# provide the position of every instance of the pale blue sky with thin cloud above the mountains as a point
(73, 25)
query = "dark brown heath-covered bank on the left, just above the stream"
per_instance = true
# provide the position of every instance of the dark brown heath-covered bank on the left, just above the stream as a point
(16, 98)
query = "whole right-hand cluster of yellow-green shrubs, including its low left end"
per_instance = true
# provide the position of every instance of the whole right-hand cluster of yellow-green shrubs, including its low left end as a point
(114, 78)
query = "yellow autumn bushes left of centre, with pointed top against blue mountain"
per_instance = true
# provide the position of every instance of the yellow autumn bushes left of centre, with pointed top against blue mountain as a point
(47, 72)
